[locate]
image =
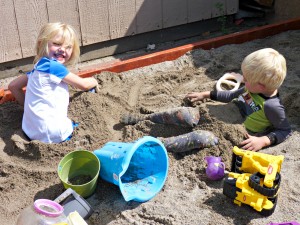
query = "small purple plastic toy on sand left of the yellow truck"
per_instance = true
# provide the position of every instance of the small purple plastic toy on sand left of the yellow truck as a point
(215, 169)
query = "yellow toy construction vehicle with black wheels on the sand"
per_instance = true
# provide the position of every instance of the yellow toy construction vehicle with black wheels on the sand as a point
(254, 180)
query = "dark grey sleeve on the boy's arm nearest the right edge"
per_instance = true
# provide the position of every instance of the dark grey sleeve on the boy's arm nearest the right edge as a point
(275, 113)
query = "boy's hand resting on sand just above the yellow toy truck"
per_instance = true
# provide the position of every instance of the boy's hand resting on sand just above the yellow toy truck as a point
(254, 143)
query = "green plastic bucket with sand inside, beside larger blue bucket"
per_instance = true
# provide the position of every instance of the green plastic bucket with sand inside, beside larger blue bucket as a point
(79, 170)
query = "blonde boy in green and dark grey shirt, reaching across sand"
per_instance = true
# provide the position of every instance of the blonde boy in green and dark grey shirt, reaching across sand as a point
(264, 71)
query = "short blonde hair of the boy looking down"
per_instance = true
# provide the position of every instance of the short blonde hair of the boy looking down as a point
(265, 66)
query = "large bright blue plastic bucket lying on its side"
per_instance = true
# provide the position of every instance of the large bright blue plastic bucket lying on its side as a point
(139, 168)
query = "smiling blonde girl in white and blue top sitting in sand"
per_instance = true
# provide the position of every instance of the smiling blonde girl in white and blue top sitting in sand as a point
(47, 97)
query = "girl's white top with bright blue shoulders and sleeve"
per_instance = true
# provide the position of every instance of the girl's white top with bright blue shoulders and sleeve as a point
(46, 103)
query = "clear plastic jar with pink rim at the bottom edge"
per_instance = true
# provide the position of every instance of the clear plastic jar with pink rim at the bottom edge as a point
(43, 212)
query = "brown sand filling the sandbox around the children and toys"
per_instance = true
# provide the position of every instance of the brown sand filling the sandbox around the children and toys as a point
(28, 170)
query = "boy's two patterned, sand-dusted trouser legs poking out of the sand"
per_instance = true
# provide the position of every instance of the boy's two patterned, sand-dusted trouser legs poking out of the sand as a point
(180, 116)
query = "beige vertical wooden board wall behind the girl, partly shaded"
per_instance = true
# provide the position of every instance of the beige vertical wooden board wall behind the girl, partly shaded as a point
(97, 20)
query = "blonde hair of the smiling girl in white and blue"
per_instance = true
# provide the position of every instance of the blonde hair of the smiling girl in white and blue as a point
(48, 32)
